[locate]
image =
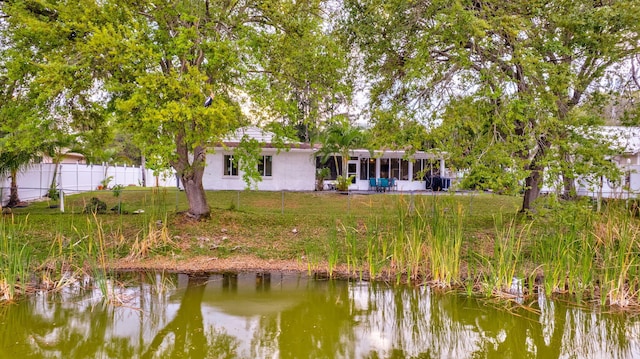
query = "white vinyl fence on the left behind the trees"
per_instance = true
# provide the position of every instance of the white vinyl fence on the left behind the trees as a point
(34, 181)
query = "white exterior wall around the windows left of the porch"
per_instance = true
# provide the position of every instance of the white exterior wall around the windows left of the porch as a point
(292, 170)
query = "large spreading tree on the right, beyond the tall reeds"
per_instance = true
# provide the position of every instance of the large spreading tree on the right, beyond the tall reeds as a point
(533, 62)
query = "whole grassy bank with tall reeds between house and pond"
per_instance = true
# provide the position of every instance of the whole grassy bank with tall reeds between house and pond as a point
(472, 242)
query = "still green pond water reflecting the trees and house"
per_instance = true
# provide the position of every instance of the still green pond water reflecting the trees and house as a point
(276, 315)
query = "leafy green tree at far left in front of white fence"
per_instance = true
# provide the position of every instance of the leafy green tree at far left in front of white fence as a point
(46, 93)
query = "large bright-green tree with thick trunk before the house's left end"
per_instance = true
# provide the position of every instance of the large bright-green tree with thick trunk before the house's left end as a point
(156, 62)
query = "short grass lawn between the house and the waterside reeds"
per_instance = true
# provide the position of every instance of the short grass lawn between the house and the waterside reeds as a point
(269, 225)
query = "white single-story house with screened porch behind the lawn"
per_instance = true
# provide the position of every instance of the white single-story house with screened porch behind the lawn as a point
(294, 167)
